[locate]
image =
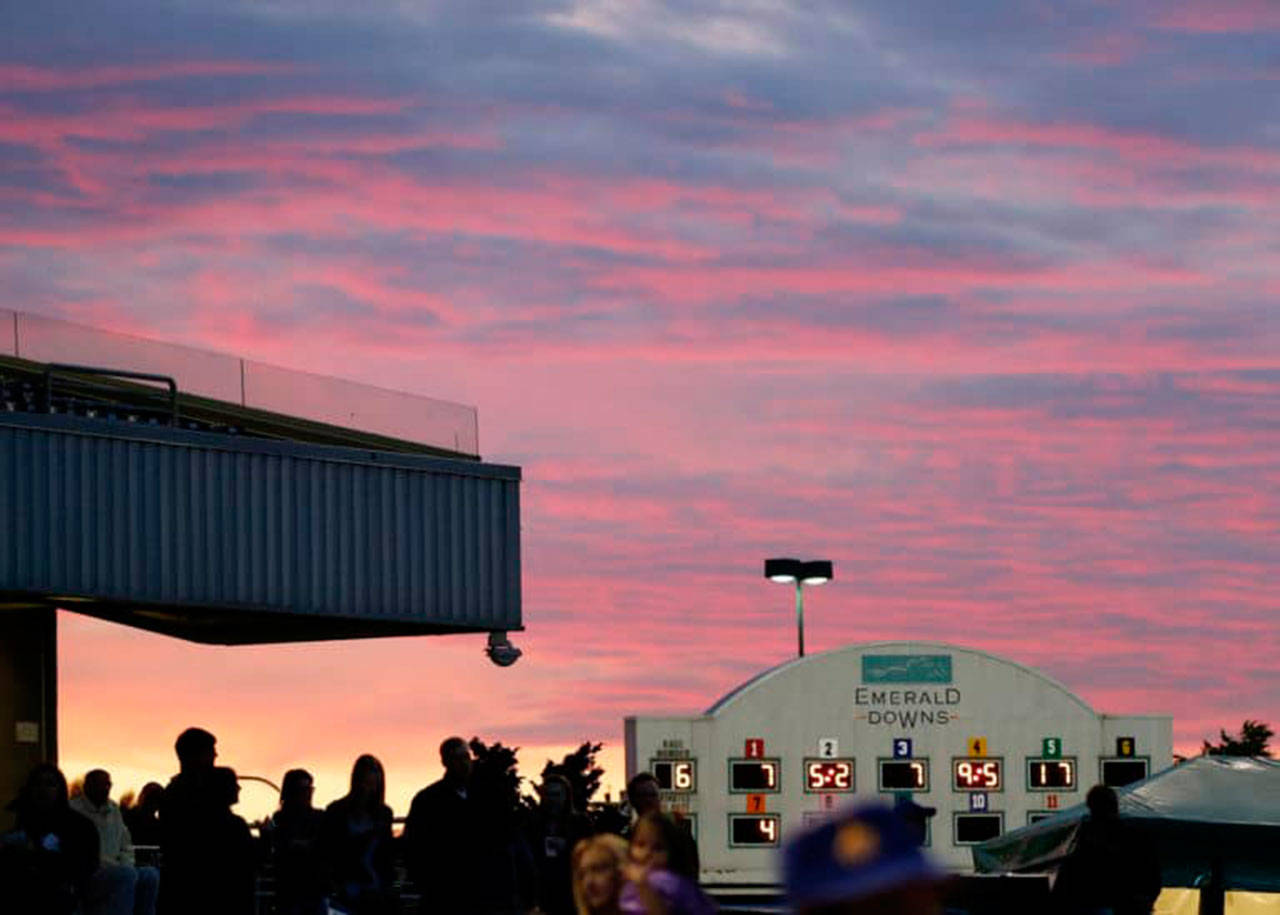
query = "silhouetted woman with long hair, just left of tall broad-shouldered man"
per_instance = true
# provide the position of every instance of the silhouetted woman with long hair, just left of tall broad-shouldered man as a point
(356, 843)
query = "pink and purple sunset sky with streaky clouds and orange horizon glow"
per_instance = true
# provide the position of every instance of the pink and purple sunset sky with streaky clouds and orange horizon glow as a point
(979, 301)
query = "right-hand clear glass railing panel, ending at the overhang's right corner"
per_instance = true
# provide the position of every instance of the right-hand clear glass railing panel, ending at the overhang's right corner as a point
(360, 406)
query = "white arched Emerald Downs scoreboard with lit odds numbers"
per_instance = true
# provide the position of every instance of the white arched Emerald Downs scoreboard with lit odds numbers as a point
(993, 745)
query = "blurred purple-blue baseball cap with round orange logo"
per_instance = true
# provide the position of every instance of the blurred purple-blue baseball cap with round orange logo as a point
(862, 852)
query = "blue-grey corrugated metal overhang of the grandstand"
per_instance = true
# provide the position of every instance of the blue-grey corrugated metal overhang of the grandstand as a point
(236, 541)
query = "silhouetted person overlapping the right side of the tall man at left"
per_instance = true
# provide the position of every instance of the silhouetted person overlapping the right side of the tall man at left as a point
(231, 864)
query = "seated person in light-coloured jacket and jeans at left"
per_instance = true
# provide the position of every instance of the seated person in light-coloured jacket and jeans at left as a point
(118, 887)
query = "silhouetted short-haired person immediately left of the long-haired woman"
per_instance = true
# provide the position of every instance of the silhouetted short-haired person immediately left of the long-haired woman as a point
(294, 836)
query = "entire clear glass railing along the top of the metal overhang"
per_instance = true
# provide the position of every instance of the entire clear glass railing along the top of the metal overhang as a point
(440, 424)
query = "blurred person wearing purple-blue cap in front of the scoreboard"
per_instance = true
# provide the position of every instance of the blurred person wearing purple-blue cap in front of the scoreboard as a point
(862, 862)
